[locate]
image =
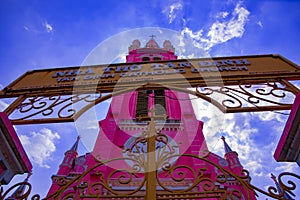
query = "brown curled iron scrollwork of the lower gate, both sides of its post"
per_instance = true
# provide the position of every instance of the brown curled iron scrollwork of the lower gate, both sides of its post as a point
(197, 186)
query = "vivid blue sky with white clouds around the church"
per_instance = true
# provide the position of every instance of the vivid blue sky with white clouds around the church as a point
(45, 34)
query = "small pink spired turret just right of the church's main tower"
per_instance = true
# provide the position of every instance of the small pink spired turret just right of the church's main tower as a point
(232, 158)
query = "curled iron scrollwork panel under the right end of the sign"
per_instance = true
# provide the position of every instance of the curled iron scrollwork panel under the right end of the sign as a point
(249, 97)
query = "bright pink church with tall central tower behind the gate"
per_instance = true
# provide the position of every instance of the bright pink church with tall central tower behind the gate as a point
(116, 168)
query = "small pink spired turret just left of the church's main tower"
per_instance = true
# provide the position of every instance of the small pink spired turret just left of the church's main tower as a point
(69, 160)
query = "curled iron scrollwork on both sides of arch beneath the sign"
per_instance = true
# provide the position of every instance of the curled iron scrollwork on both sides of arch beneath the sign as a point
(241, 97)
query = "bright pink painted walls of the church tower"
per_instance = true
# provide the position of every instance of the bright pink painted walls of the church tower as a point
(185, 131)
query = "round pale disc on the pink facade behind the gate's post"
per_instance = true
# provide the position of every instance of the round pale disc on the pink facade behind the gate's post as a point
(136, 147)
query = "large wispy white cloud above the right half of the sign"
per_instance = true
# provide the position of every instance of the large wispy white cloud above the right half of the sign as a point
(220, 31)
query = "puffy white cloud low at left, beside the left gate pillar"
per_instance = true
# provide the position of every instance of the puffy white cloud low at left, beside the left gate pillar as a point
(40, 145)
